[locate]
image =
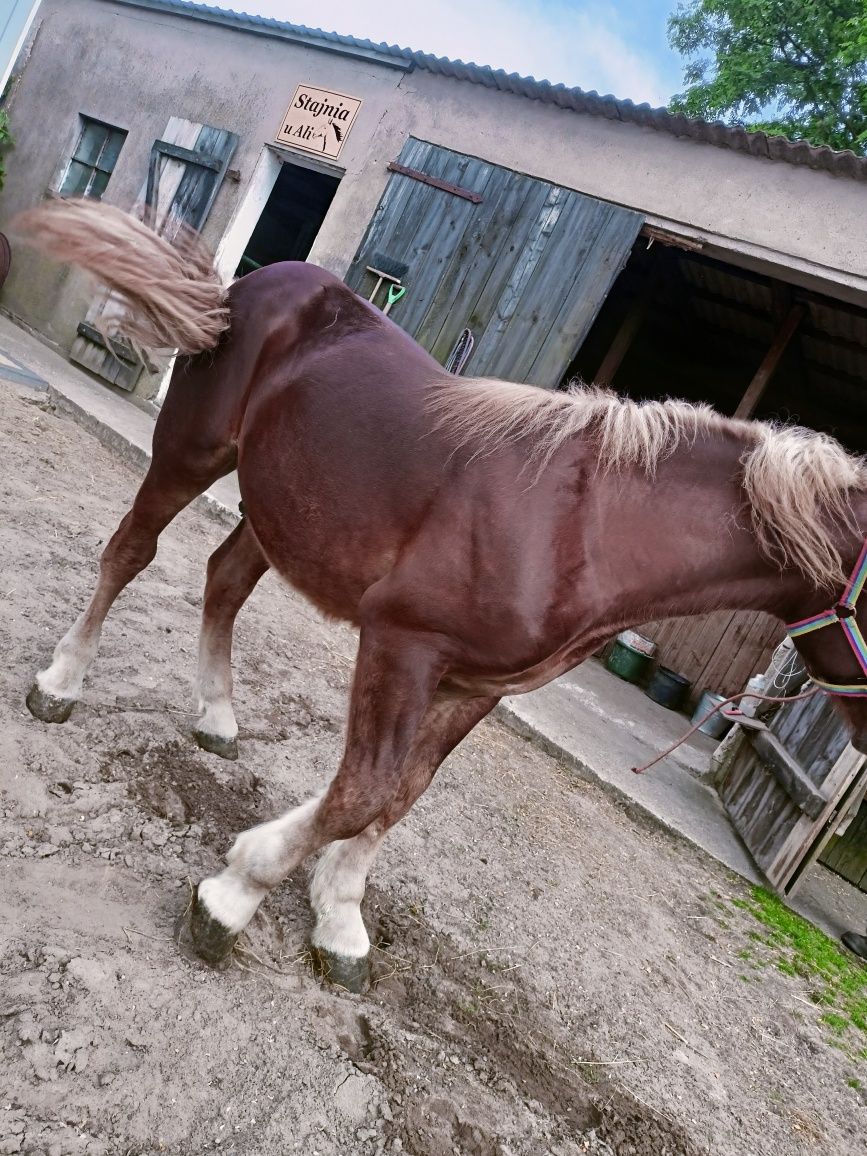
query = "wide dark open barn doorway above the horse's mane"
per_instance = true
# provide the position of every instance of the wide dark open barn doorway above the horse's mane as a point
(679, 323)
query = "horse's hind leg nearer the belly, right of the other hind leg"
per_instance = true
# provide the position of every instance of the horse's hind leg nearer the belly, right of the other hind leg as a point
(234, 570)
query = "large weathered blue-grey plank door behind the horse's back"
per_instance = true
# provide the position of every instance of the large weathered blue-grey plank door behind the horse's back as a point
(523, 264)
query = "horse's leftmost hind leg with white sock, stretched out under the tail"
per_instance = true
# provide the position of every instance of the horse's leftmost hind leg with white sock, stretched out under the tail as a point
(165, 492)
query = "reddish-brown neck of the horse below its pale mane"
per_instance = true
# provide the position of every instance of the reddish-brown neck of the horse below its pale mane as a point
(681, 543)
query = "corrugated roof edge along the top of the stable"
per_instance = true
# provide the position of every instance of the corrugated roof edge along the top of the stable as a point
(739, 139)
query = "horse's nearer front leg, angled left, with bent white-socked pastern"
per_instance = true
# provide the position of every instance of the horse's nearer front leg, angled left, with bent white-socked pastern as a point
(396, 678)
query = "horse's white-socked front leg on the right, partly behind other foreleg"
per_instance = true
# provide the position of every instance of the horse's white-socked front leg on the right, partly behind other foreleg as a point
(340, 938)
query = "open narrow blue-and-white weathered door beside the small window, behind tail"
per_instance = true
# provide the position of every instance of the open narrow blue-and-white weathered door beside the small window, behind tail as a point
(186, 172)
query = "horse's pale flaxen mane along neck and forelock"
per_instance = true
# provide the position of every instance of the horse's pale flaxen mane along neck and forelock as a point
(798, 484)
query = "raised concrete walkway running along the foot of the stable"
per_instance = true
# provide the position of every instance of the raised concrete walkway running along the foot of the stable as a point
(590, 720)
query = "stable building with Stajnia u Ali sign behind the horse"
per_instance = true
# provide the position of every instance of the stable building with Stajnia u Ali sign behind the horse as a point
(516, 228)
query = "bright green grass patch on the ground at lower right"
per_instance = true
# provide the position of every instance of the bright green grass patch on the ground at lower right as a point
(805, 952)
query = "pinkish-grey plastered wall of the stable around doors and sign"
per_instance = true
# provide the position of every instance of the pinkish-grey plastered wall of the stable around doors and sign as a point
(137, 68)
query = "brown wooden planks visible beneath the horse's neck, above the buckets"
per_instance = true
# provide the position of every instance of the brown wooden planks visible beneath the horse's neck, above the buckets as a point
(717, 653)
